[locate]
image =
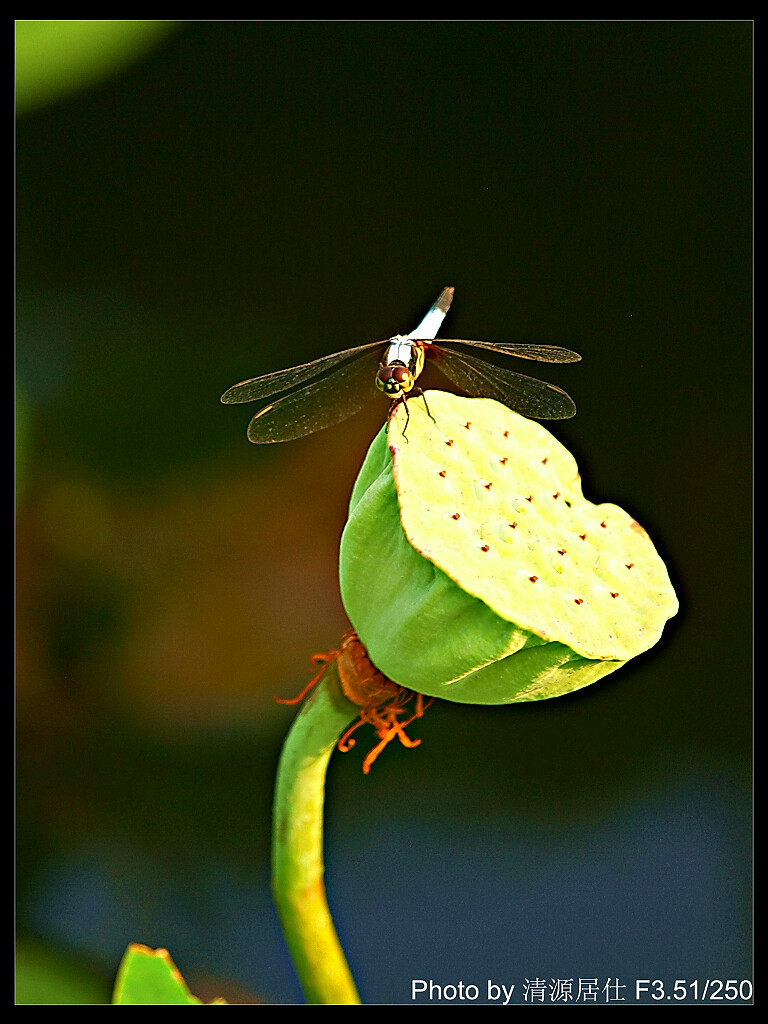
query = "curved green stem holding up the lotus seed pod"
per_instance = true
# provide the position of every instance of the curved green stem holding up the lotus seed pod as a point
(297, 844)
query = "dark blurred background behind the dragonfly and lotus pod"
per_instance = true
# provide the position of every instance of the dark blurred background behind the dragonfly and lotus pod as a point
(228, 198)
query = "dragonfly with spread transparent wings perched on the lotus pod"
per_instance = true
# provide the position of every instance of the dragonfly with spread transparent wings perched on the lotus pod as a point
(329, 391)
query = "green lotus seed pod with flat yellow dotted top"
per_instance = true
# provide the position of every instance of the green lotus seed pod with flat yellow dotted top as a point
(475, 570)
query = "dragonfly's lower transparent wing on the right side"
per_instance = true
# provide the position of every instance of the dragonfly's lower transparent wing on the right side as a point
(528, 396)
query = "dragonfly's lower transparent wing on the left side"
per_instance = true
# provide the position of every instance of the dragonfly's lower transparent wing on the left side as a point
(318, 406)
